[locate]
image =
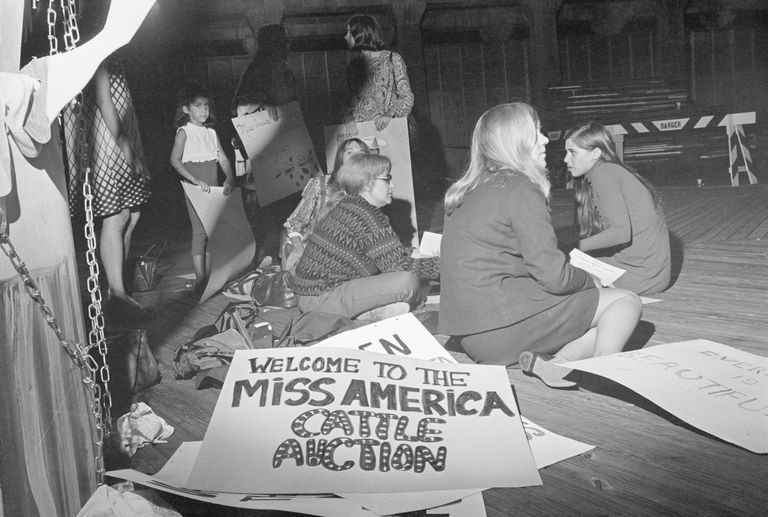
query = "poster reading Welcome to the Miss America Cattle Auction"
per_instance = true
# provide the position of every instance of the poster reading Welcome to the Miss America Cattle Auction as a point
(317, 420)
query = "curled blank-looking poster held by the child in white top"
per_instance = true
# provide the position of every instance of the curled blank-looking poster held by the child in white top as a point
(230, 239)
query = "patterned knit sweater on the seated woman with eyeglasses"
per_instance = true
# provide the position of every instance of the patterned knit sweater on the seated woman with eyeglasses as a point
(354, 240)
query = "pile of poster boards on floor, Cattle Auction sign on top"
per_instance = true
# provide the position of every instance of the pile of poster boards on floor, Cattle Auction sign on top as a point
(374, 421)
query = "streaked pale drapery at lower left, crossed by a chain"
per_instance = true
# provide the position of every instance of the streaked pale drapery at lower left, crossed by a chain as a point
(46, 449)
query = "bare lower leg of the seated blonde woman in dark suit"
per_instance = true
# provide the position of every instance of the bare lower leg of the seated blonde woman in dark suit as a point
(618, 312)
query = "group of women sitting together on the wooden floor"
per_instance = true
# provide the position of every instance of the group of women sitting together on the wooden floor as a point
(508, 293)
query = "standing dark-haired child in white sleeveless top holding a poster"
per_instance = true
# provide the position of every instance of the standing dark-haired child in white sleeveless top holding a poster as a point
(195, 155)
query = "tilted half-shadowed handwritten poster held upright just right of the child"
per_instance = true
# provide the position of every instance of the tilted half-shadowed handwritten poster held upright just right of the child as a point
(280, 151)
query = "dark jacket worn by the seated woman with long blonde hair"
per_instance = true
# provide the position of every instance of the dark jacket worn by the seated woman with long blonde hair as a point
(499, 258)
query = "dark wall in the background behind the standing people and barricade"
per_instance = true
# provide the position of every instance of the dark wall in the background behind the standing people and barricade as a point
(463, 57)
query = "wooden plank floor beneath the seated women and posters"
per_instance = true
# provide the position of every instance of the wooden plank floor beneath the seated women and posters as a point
(646, 462)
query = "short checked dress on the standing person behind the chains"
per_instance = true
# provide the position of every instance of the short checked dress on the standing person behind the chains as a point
(114, 184)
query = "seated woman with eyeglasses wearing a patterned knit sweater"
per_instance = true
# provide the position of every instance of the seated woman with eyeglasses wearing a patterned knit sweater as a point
(353, 263)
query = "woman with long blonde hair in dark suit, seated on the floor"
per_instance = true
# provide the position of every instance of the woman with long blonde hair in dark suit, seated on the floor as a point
(508, 294)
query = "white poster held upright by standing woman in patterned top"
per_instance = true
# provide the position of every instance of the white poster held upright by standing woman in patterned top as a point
(393, 143)
